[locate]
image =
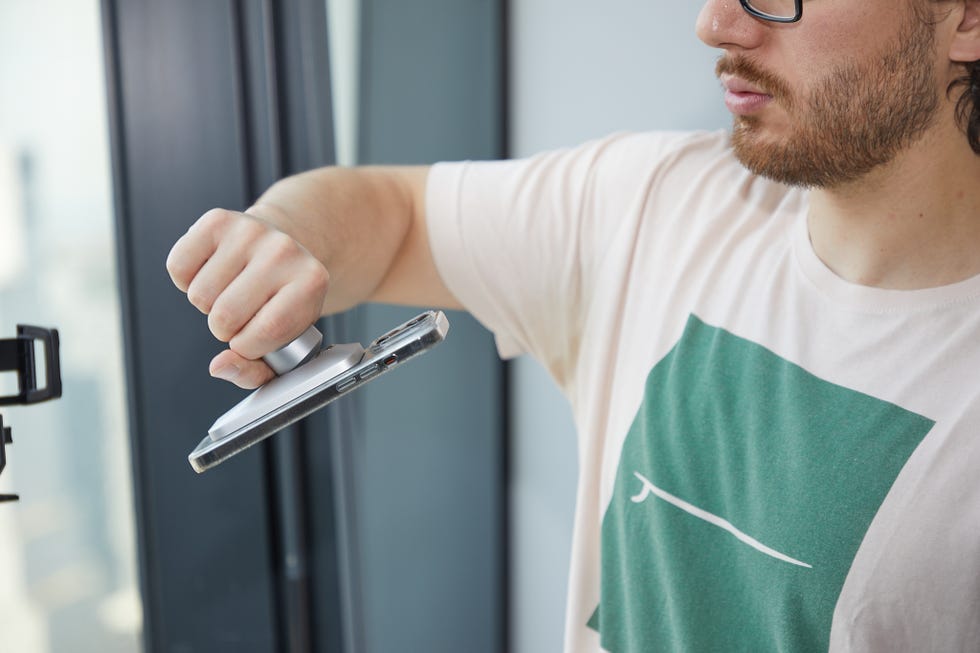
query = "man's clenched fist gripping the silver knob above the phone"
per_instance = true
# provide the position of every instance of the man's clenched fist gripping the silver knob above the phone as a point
(258, 286)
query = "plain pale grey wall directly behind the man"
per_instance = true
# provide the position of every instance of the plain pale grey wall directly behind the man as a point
(581, 69)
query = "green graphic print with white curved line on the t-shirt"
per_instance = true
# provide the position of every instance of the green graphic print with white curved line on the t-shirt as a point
(744, 489)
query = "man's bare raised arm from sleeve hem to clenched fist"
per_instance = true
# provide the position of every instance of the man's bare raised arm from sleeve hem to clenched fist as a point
(315, 243)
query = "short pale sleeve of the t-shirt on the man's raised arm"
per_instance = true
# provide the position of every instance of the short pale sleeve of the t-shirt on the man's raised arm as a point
(518, 242)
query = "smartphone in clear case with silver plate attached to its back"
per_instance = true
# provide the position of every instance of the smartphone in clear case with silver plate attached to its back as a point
(335, 371)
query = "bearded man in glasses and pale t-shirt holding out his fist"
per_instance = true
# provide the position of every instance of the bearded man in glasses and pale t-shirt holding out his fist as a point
(769, 341)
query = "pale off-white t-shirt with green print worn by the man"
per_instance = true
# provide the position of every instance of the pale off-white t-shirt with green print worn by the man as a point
(772, 459)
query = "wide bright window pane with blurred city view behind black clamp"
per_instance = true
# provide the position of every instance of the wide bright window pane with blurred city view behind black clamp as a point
(67, 548)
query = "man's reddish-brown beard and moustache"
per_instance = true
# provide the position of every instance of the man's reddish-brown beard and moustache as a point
(858, 117)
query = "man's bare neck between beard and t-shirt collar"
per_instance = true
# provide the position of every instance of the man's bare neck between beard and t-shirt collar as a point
(912, 224)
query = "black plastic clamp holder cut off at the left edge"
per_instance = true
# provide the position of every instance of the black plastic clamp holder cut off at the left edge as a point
(18, 355)
